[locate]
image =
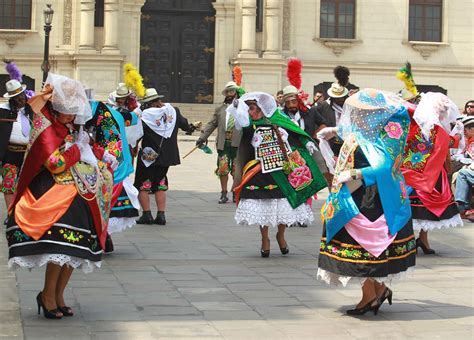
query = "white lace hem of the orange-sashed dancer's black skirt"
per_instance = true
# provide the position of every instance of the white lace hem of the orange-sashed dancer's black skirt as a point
(32, 261)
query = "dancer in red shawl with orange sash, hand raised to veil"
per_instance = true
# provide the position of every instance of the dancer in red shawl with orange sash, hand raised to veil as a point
(60, 212)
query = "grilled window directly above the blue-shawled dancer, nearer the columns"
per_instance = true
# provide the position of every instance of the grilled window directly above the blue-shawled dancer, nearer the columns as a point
(337, 19)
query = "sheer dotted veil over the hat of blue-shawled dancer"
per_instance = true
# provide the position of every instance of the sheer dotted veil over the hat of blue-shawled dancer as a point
(366, 113)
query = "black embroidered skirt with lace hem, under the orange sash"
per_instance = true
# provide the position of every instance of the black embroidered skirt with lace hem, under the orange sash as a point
(72, 240)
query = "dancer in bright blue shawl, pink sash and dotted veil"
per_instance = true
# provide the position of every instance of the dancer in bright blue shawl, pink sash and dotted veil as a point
(368, 235)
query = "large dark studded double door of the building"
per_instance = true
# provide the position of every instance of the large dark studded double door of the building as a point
(177, 49)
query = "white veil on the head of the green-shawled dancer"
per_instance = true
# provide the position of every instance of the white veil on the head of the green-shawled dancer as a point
(240, 110)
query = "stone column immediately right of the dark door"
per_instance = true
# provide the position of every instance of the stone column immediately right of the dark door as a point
(249, 14)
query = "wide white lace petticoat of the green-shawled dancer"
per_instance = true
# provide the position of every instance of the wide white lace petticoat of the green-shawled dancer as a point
(272, 212)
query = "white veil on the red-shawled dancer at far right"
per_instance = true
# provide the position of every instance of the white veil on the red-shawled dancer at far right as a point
(435, 109)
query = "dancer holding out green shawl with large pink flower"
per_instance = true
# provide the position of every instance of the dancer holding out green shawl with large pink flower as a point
(279, 174)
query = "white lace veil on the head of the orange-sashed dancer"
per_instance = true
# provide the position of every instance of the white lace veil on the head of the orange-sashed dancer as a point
(69, 97)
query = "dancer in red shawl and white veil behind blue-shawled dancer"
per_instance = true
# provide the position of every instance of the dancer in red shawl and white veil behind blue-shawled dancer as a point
(426, 163)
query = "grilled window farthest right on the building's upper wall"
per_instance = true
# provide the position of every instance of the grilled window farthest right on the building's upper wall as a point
(425, 20)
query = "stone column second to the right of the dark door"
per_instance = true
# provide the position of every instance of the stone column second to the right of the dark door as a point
(272, 29)
